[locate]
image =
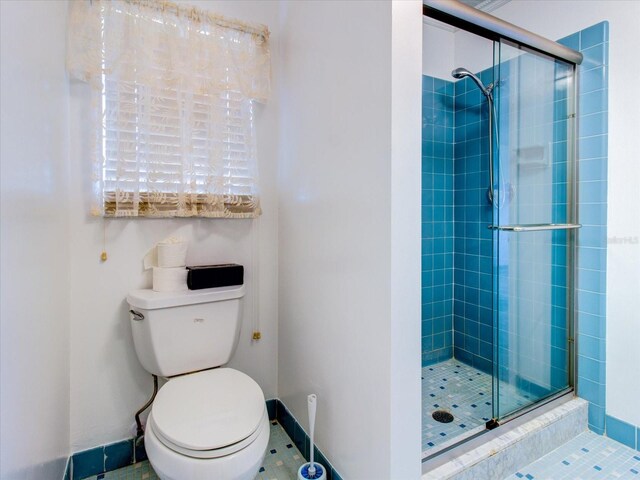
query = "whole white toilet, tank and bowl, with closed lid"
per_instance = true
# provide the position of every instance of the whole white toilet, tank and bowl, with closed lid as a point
(205, 422)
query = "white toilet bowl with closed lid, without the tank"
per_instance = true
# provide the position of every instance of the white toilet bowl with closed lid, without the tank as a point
(208, 425)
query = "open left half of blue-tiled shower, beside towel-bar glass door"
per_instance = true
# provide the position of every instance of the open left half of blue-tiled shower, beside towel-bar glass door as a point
(457, 262)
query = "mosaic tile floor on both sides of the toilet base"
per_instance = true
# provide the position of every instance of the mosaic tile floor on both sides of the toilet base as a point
(280, 463)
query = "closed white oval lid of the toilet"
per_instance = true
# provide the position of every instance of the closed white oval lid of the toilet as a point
(208, 410)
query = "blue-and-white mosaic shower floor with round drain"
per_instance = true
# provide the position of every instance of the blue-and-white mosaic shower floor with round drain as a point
(463, 391)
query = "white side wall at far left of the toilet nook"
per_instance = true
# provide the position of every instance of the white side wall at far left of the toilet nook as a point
(34, 332)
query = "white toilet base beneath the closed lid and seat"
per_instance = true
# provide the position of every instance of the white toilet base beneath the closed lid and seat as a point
(241, 465)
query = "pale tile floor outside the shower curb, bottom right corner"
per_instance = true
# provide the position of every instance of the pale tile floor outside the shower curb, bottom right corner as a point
(588, 456)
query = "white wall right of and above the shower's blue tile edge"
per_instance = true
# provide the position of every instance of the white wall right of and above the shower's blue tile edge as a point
(557, 19)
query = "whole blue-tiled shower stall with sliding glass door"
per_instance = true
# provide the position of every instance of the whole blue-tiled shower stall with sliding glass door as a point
(499, 222)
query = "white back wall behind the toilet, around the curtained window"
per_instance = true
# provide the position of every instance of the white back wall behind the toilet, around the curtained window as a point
(108, 384)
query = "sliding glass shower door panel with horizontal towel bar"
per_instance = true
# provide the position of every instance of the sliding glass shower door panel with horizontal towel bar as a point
(534, 226)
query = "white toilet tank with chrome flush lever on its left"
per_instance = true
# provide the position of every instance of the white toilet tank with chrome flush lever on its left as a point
(181, 332)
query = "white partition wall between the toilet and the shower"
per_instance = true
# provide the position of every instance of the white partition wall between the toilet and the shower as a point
(339, 224)
